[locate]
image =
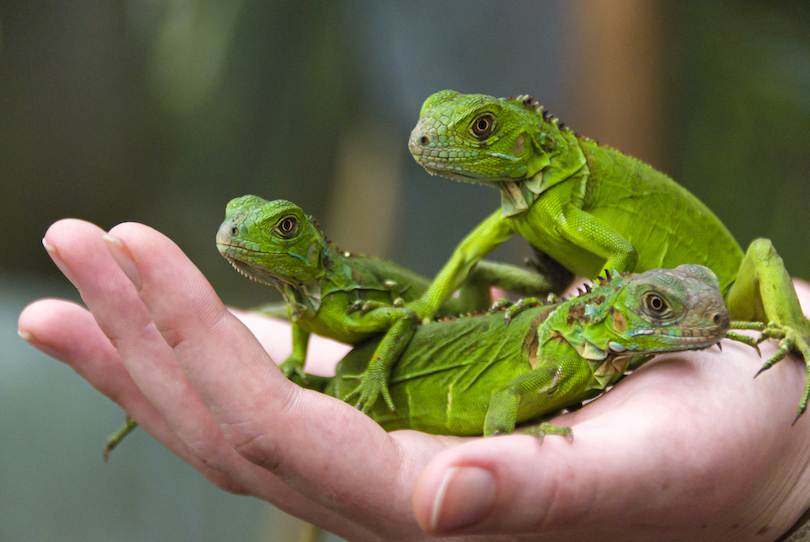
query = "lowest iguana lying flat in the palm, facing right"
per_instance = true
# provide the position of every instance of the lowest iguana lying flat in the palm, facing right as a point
(481, 375)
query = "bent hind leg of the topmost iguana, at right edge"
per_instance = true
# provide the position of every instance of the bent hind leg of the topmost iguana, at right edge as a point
(763, 291)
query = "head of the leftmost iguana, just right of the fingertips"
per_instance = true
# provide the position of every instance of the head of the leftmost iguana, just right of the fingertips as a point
(271, 241)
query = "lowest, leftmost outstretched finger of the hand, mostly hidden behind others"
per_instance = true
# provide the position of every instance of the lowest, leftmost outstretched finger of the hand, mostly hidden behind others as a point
(67, 332)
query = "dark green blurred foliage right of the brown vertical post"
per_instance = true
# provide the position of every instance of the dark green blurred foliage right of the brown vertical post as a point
(740, 130)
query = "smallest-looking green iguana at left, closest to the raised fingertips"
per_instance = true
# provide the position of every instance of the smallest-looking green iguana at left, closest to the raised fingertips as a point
(343, 296)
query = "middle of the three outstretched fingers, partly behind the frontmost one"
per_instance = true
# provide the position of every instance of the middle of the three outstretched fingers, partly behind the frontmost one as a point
(79, 249)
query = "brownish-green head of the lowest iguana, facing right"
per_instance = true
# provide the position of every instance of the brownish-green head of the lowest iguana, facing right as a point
(662, 310)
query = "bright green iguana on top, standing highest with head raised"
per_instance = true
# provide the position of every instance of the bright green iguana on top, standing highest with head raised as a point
(589, 208)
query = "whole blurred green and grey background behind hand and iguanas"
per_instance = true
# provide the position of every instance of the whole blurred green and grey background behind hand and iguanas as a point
(160, 111)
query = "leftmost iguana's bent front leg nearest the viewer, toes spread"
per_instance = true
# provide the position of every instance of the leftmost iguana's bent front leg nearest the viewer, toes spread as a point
(402, 324)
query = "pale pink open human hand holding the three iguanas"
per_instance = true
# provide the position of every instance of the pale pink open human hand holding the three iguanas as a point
(690, 447)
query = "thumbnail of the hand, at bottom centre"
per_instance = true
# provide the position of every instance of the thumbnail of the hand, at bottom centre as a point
(465, 497)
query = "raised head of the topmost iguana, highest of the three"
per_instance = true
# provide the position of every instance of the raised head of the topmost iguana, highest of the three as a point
(504, 142)
